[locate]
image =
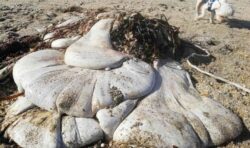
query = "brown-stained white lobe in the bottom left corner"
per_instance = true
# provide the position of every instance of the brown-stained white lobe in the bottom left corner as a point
(35, 128)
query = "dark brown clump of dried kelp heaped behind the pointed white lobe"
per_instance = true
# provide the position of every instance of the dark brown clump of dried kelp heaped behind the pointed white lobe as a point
(146, 39)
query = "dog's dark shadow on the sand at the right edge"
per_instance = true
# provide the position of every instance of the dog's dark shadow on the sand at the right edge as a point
(240, 24)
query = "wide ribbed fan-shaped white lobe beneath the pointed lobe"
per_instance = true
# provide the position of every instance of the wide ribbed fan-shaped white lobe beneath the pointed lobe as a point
(75, 91)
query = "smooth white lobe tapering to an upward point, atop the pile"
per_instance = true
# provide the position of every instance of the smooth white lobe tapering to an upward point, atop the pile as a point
(94, 50)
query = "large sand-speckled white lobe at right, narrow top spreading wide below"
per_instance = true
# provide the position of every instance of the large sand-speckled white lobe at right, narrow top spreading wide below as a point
(174, 114)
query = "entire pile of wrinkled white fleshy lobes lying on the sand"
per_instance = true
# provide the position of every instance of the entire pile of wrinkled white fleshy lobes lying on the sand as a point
(132, 101)
